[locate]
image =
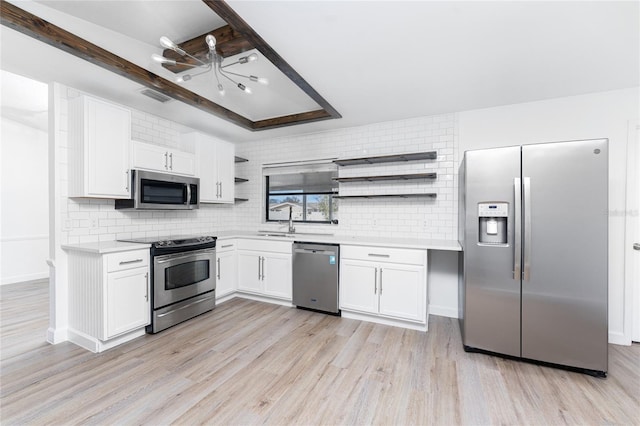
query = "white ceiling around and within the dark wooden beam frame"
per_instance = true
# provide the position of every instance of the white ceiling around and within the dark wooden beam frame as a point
(373, 61)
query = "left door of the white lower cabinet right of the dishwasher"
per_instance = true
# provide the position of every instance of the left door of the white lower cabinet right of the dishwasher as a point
(358, 286)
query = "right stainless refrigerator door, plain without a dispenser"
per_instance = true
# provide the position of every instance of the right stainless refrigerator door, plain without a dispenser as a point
(564, 293)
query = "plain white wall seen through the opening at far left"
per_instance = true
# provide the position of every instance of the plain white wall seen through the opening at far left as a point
(25, 214)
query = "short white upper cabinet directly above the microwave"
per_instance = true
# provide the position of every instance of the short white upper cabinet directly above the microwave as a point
(148, 156)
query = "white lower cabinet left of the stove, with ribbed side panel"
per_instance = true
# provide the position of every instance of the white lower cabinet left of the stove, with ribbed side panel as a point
(109, 297)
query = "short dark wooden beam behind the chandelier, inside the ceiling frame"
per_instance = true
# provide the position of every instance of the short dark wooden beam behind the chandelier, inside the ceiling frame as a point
(228, 43)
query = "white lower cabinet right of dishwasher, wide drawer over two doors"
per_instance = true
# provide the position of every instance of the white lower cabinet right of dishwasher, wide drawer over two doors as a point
(384, 284)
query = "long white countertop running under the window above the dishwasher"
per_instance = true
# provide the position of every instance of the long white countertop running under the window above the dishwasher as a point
(351, 240)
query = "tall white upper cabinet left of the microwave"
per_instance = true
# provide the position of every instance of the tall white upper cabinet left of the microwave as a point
(99, 141)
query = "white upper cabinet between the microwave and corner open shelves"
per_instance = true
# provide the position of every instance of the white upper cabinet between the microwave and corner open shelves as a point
(215, 168)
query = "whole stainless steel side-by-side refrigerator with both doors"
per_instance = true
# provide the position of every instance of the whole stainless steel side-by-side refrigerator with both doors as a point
(534, 231)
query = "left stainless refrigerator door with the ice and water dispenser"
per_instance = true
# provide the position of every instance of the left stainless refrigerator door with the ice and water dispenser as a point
(491, 300)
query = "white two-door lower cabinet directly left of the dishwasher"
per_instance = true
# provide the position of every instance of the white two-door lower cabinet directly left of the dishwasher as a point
(264, 268)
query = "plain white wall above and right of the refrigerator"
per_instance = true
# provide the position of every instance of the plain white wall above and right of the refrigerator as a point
(599, 115)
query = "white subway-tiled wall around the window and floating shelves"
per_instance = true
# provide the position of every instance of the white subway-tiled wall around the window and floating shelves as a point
(419, 218)
